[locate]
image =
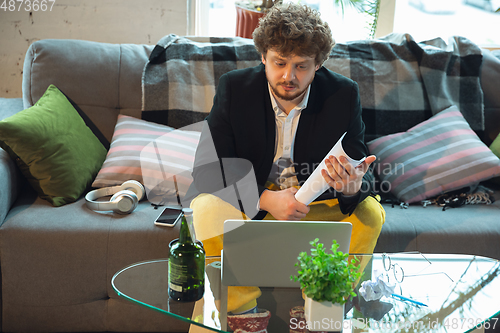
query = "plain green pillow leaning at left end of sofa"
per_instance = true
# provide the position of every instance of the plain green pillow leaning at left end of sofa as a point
(55, 150)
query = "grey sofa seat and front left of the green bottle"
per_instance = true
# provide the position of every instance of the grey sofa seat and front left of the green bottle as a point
(57, 264)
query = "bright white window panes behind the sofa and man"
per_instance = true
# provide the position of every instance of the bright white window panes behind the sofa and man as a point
(423, 19)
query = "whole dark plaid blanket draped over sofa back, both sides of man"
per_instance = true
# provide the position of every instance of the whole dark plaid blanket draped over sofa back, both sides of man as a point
(402, 82)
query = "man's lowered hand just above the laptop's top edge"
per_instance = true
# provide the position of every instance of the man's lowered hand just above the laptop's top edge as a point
(282, 205)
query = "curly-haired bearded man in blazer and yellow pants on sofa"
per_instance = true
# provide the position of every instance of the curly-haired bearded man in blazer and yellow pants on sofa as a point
(284, 116)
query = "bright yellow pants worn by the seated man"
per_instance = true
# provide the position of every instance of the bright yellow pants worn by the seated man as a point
(210, 212)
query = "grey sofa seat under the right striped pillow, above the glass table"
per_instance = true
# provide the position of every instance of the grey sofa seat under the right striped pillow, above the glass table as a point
(471, 229)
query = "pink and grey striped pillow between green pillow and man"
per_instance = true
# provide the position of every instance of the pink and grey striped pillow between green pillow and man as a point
(133, 139)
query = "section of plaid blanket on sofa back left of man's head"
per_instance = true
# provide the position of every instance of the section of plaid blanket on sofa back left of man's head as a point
(179, 81)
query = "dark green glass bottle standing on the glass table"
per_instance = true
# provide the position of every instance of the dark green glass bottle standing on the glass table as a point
(186, 264)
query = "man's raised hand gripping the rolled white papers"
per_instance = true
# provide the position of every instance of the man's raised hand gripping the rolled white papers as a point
(342, 176)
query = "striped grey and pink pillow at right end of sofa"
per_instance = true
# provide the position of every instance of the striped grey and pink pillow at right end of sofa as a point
(438, 155)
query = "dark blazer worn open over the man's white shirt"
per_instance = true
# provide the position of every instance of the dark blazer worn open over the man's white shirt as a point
(242, 125)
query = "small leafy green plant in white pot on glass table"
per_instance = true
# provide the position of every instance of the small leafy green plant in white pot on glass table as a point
(327, 281)
